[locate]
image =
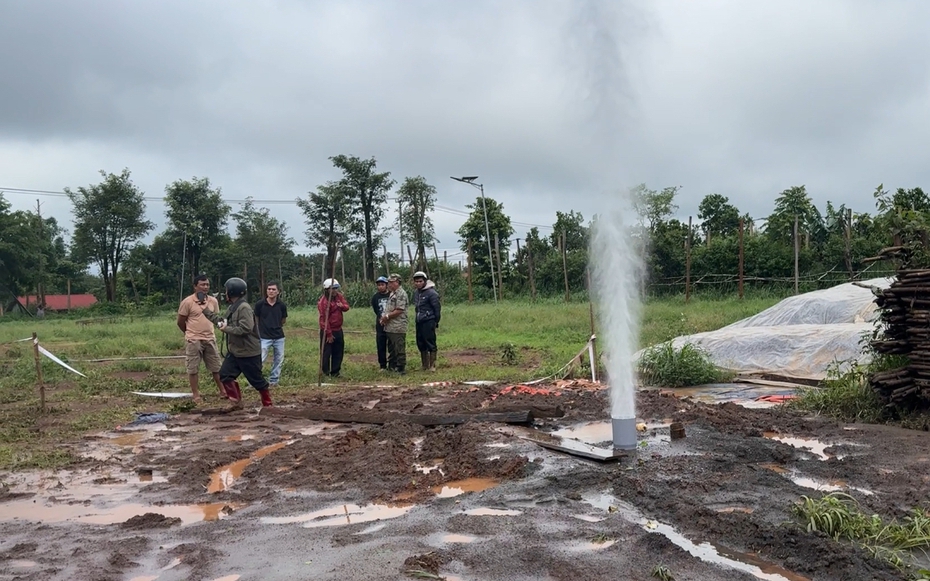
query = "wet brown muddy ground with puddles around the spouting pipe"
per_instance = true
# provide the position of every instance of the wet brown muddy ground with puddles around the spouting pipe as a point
(248, 495)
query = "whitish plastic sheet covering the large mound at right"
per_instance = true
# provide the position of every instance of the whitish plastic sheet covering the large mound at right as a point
(800, 337)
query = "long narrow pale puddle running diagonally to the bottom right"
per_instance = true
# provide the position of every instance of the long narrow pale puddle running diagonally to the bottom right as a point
(707, 552)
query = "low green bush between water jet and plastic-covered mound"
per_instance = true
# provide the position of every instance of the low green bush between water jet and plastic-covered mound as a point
(667, 366)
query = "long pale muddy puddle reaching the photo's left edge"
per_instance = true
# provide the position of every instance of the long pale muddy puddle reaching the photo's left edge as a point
(28, 510)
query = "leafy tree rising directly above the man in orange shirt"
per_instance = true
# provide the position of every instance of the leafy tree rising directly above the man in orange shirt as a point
(199, 213)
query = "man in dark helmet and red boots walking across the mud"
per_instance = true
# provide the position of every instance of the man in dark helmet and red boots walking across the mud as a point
(243, 346)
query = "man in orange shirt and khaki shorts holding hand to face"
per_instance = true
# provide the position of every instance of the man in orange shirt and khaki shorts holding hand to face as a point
(200, 342)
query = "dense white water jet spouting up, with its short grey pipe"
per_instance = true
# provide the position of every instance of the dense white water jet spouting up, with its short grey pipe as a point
(617, 270)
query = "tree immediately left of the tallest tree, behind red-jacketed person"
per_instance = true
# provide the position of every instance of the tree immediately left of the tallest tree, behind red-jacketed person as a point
(330, 220)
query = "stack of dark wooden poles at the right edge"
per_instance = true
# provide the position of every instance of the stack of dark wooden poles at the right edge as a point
(906, 316)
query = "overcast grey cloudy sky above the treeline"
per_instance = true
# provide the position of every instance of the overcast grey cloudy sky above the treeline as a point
(556, 105)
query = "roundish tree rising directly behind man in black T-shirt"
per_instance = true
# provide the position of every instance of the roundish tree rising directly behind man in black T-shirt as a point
(261, 240)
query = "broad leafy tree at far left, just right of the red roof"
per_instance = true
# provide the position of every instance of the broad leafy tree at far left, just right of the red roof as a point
(108, 218)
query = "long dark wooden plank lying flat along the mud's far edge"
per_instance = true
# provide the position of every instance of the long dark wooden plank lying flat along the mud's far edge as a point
(365, 417)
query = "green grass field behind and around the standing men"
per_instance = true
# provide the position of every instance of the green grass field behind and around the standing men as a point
(512, 341)
